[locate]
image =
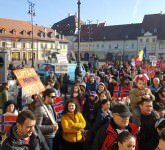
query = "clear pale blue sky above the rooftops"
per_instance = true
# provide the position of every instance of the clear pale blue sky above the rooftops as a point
(113, 12)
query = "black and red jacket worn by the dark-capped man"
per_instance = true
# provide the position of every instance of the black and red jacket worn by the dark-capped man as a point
(107, 135)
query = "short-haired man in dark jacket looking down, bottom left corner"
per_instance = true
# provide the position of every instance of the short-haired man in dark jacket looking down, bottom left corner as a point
(24, 134)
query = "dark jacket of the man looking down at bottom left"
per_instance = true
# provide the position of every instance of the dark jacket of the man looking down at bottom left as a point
(13, 142)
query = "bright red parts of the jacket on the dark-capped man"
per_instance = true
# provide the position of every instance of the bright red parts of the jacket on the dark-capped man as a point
(112, 135)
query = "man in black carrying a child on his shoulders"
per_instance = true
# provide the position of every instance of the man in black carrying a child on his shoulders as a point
(146, 117)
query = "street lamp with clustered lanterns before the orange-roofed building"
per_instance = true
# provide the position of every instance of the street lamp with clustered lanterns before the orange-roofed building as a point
(32, 13)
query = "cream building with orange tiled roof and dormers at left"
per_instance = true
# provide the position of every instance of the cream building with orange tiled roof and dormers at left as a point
(16, 38)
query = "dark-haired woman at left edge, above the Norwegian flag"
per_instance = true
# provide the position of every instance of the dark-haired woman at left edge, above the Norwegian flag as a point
(10, 108)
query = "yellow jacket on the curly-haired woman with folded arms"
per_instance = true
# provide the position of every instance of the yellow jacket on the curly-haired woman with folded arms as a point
(72, 124)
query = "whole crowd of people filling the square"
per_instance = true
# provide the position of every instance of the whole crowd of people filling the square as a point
(115, 107)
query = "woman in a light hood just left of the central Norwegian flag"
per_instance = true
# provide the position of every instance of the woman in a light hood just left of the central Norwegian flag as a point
(102, 88)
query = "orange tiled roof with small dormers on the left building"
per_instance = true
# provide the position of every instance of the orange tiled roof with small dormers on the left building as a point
(10, 25)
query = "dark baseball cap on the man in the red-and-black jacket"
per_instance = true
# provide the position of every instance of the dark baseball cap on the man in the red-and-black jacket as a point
(121, 109)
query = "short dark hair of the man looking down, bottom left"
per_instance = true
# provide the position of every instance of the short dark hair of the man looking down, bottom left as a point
(24, 115)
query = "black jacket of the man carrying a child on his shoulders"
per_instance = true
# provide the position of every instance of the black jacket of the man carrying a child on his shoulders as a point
(147, 137)
